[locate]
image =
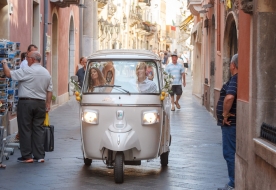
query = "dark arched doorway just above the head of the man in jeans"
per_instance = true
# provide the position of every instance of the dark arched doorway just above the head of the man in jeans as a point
(230, 43)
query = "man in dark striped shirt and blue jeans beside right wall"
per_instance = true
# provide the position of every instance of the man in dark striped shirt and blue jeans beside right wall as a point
(226, 118)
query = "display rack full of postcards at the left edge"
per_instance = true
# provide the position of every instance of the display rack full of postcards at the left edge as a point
(8, 96)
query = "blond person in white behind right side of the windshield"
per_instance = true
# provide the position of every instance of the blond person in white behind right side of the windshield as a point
(143, 83)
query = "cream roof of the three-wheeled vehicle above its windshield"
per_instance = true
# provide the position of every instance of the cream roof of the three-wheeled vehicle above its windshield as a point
(124, 54)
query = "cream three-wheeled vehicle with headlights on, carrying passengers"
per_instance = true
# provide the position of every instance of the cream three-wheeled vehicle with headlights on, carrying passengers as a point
(123, 117)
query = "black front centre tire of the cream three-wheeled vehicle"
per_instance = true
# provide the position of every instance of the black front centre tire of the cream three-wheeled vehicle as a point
(119, 167)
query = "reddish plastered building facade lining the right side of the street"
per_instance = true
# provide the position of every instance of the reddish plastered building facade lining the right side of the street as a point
(246, 27)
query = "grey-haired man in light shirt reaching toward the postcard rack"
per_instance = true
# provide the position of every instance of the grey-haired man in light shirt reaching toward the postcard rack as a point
(35, 95)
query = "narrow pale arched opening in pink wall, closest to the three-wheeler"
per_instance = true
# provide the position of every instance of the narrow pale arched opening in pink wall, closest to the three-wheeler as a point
(71, 69)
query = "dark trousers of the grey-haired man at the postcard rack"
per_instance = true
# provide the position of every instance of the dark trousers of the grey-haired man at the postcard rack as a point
(30, 118)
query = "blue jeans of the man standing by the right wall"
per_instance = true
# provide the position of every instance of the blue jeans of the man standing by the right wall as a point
(229, 150)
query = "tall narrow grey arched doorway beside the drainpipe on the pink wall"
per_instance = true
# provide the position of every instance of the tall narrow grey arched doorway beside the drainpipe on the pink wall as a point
(55, 56)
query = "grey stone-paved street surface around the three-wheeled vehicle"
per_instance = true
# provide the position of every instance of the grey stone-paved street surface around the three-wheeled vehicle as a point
(195, 161)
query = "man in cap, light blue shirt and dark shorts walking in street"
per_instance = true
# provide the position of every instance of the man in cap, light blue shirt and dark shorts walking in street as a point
(177, 71)
